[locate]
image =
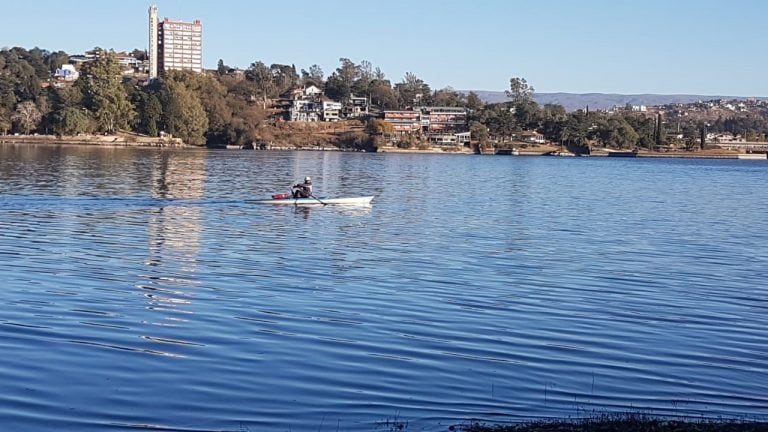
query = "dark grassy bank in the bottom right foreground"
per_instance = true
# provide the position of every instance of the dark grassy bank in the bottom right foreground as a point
(623, 424)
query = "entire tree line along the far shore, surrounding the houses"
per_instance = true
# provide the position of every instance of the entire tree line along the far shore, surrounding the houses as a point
(224, 107)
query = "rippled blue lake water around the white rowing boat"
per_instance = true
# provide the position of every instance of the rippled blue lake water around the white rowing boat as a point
(139, 289)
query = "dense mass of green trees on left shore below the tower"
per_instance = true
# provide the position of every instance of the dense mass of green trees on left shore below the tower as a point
(201, 109)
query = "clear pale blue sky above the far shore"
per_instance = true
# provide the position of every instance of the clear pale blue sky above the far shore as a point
(708, 47)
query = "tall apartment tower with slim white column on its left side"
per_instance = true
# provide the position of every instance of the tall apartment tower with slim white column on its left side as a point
(174, 45)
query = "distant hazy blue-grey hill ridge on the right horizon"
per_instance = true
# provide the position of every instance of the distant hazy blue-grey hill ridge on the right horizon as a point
(574, 101)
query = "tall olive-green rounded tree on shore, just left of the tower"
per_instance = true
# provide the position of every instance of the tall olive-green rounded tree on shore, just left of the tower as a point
(104, 94)
